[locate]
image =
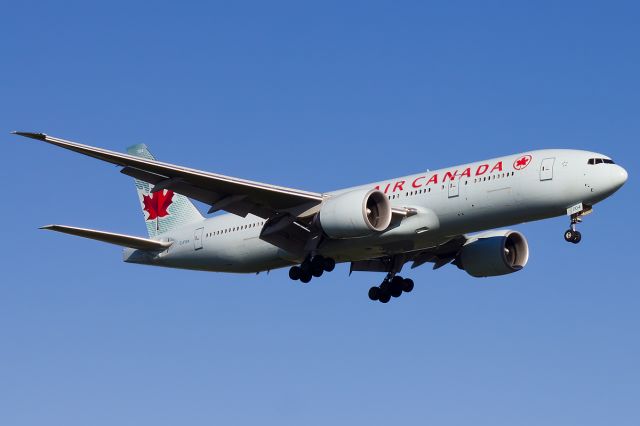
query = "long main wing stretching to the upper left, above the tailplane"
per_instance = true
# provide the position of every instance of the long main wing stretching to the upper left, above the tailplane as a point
(227, 193)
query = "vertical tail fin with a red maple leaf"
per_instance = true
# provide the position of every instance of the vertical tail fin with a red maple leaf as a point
(163, 210)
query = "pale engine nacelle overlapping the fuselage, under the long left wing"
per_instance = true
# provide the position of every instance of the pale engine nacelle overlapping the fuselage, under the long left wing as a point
(355, 214)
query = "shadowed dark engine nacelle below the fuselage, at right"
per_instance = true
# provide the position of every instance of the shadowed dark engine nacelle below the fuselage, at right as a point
(495, 253)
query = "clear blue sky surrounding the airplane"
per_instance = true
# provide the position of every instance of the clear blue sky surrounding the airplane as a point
(317, 96)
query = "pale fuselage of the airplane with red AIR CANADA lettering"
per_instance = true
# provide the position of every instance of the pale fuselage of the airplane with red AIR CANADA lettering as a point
(448, 202)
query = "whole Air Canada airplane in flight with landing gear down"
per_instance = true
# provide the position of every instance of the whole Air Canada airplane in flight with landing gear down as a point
(446, 216)
